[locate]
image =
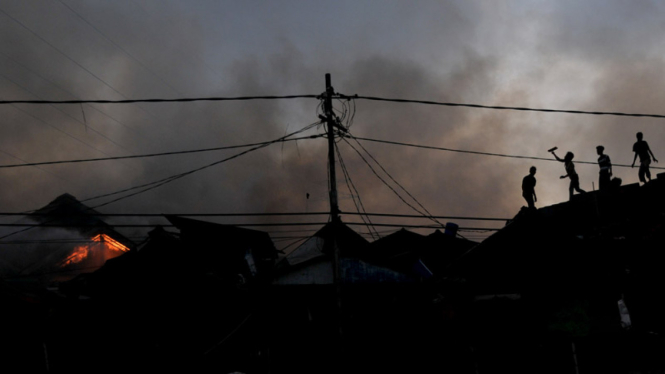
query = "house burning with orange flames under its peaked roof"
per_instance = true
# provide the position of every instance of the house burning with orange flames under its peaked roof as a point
(59, 241)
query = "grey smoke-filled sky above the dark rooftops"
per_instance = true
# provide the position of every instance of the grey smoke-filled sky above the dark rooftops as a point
(604, 56)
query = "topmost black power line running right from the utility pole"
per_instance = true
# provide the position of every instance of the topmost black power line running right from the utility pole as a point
(427, 102)
